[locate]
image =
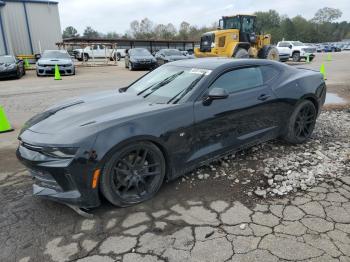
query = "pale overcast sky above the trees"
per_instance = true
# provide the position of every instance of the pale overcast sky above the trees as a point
(116, 15)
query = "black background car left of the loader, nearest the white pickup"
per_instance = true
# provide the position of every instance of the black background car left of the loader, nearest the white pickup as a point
(139, 58)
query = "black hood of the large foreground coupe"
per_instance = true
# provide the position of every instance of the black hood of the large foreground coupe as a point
(95, 111)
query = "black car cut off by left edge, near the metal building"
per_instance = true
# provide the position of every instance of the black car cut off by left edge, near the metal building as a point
(10, 66)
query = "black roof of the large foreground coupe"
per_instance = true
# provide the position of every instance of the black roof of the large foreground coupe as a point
(215, 62)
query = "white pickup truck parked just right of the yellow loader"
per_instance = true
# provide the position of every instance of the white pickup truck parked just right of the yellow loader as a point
(296, 50)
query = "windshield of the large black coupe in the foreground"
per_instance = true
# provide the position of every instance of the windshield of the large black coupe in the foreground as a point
(168, 84)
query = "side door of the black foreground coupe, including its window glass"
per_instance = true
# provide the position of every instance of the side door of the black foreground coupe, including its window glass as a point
(245, 117)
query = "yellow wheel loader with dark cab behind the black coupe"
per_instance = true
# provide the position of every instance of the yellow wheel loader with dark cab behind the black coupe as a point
(236, 38)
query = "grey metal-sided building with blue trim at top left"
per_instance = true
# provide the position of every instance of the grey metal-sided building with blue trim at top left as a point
(28, 27)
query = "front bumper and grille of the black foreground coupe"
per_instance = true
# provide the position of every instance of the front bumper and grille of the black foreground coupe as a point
(62, 180)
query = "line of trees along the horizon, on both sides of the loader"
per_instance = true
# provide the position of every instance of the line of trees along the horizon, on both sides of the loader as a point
(321, 28)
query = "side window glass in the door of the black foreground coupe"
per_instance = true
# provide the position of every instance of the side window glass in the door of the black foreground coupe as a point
(239, 79)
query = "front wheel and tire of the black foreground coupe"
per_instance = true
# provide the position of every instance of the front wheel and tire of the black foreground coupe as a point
(127, 180)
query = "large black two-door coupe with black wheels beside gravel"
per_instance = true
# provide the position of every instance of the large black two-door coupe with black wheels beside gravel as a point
(125, 143)
